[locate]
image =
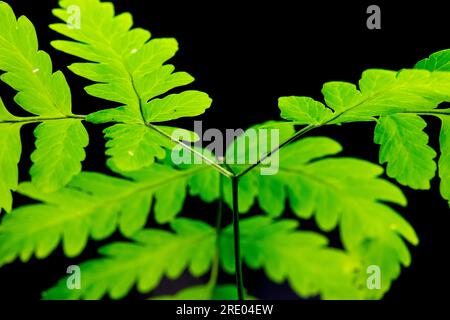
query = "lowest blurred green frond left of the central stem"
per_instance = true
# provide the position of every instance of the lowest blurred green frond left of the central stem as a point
(153, 255)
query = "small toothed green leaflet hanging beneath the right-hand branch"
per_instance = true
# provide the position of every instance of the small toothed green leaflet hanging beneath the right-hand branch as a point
(404, 146)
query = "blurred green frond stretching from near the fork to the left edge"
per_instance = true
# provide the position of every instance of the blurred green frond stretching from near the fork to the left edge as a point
(93, 205)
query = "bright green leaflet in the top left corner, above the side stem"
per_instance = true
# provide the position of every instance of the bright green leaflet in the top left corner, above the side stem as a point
(28, 70)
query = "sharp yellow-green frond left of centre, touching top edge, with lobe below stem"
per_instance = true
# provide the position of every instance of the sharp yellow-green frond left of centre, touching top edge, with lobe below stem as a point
(129, 69)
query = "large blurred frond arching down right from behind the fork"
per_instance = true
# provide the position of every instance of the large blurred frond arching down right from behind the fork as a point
(337, 191)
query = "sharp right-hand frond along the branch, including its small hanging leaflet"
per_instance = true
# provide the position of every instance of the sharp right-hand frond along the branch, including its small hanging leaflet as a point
(389, 98)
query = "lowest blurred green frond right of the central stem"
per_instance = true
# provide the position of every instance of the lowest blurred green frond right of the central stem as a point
(300, 257)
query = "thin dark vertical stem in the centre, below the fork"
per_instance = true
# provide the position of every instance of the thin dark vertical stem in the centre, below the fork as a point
(237, 244)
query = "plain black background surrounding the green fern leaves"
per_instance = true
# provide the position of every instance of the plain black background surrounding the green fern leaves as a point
(245, 57)
